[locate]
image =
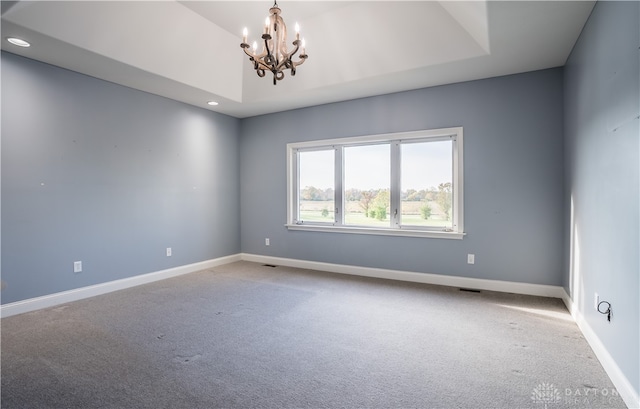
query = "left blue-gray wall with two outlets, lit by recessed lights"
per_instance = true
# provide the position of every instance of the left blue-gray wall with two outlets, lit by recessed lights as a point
(111, 176)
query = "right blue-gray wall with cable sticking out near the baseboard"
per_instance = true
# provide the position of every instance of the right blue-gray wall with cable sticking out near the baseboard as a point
(602, 109)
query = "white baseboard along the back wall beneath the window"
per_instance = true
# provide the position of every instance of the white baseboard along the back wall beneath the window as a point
(424, 278)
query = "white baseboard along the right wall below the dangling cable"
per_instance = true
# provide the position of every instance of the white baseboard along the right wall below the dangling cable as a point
(625, 388)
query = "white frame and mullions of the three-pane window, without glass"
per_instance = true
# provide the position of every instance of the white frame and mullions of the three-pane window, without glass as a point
(457, 232)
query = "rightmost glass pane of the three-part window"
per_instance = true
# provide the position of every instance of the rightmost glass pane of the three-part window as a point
(426, 184)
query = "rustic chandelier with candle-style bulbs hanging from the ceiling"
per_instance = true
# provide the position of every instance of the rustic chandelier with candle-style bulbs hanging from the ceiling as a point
(274, 56)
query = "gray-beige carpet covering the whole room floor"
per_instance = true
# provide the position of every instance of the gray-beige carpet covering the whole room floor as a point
(245, 335)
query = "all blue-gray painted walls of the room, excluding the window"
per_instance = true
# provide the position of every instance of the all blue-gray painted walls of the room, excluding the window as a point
(111, 176)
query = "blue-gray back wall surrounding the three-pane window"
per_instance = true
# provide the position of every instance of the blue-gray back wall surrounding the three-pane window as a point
(513, 178)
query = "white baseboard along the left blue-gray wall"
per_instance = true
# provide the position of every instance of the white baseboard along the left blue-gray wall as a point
(46, 301)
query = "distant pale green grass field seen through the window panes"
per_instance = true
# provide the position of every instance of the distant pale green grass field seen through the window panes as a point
(311, 211)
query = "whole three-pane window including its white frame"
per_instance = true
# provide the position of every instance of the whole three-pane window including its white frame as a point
(407, 184)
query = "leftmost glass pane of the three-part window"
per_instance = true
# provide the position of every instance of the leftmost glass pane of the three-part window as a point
(316, 186)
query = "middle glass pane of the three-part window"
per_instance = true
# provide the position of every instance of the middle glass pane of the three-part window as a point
(366, 185)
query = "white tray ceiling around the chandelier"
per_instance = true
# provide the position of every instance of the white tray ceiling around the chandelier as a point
(190, 50)
